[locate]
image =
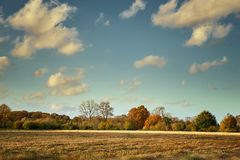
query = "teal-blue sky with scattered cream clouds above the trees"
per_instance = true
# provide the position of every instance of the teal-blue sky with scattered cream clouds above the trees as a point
(180, 54)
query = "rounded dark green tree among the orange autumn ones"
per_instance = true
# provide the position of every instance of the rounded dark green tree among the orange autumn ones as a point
(205, 121)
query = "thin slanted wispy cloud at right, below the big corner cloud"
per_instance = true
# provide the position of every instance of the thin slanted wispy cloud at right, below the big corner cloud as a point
(196, 68)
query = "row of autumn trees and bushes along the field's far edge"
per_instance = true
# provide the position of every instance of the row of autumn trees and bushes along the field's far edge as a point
(94, 116)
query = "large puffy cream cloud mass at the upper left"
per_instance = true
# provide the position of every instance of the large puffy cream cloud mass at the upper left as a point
(42, 24)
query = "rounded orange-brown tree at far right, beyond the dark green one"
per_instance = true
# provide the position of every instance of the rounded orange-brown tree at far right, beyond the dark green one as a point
(228, 124)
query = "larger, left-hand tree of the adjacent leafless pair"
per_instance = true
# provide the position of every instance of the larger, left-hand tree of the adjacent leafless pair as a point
(88, 108)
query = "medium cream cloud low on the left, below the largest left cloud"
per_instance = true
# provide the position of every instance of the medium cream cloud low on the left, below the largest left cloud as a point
(63, 85)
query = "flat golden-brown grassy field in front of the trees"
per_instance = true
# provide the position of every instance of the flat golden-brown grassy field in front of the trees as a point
(91, 145)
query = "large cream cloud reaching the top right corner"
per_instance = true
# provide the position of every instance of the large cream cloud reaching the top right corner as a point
(203, 19)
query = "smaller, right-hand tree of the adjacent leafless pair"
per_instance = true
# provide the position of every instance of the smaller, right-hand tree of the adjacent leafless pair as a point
(105, 110)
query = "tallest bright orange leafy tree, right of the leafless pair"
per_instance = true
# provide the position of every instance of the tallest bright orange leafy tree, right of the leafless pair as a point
(137, 116)
